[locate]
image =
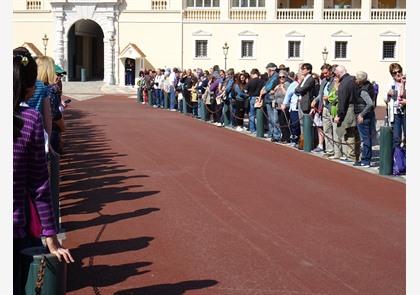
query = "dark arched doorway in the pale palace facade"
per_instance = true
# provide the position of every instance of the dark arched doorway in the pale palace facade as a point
(85, 51)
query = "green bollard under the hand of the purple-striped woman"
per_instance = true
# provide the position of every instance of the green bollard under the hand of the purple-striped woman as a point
(55, 275)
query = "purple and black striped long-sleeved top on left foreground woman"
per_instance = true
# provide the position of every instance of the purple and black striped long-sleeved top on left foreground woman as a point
(30, 175)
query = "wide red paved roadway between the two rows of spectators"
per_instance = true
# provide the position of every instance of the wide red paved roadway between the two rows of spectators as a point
(154, 202)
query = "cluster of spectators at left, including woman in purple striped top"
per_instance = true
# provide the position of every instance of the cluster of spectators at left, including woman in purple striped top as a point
(37, 126)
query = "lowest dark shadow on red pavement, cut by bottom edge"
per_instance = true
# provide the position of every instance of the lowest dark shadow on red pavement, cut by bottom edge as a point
(169, 289)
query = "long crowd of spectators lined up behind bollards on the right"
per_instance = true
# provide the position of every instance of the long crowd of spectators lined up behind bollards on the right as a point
(341, 106)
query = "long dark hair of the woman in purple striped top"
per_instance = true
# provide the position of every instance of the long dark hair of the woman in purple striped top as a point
(24, 77)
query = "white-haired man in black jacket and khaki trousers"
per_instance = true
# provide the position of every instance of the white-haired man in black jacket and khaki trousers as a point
(346, 118)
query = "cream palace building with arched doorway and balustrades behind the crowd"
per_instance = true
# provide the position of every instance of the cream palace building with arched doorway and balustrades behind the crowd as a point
(98, 37)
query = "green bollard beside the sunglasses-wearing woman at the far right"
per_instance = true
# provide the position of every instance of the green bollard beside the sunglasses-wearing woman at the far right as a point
(385, 151)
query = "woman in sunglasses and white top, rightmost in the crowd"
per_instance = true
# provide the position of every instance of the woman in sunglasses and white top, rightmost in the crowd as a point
(396, 103)
